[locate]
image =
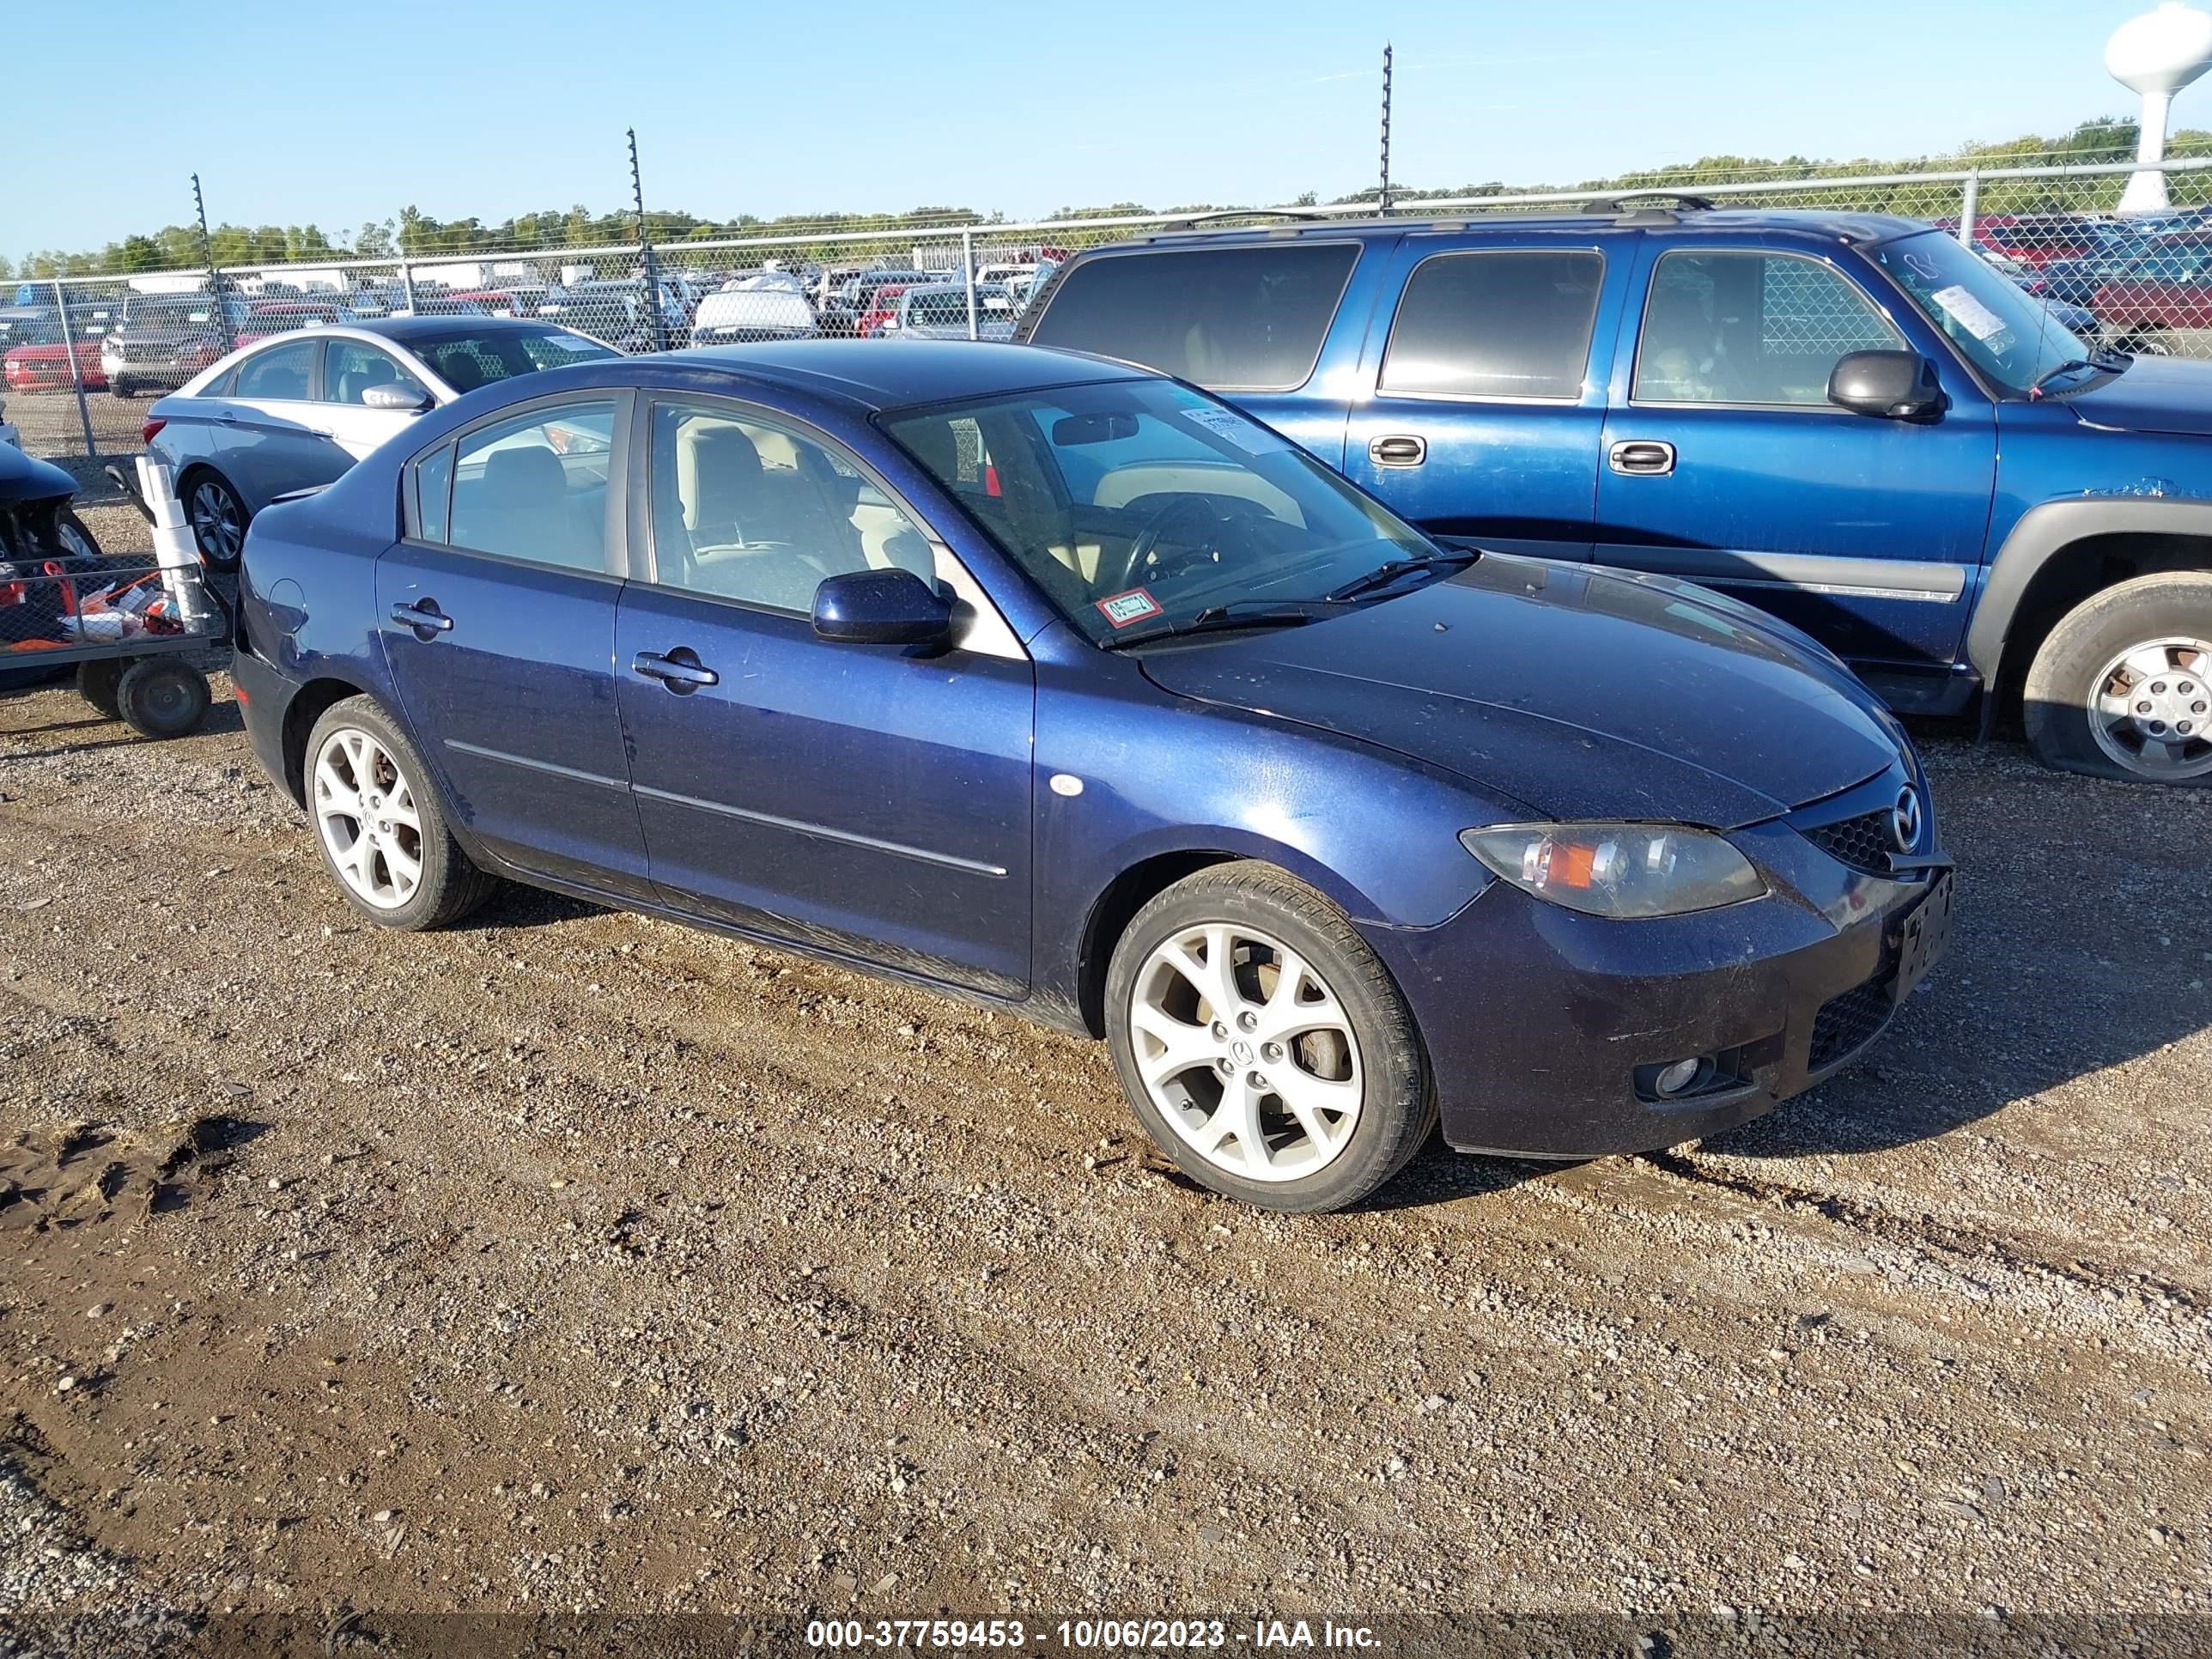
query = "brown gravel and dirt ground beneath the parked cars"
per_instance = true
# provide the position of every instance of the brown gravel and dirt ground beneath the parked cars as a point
(578, 1262)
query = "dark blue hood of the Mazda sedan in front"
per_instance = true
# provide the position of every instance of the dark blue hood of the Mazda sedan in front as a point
(1576, 691)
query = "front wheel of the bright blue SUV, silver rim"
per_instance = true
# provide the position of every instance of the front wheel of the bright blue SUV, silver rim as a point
(2122, 685)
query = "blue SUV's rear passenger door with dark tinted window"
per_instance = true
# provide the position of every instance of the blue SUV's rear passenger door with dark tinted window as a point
(1485, 379)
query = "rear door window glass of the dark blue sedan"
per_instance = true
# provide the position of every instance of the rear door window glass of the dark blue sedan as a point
(534, 488)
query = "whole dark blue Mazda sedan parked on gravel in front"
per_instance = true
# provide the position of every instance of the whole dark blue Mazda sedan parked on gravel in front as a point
(1065, 687)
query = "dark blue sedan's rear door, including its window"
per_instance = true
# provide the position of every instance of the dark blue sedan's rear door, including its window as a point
(499, 627)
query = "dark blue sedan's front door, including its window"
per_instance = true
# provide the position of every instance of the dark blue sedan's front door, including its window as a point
(862, 800)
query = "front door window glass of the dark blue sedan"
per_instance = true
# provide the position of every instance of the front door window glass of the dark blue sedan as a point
(760, 514)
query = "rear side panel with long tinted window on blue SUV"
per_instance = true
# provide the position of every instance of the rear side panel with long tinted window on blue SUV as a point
(1246, 320)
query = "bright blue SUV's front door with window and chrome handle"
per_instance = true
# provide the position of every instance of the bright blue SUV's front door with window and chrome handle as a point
(1726, 463)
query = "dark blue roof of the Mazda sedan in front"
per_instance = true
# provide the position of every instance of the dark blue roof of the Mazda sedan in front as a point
(884, 377)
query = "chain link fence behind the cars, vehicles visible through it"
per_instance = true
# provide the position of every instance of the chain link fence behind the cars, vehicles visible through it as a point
(83, 355)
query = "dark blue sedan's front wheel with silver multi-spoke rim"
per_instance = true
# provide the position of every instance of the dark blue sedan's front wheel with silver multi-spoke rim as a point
(1264, 1045)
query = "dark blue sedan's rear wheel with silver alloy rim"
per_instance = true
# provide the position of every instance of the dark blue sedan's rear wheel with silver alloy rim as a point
(382, 828)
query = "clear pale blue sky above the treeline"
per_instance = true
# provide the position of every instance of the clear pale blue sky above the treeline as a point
(342, 114)
